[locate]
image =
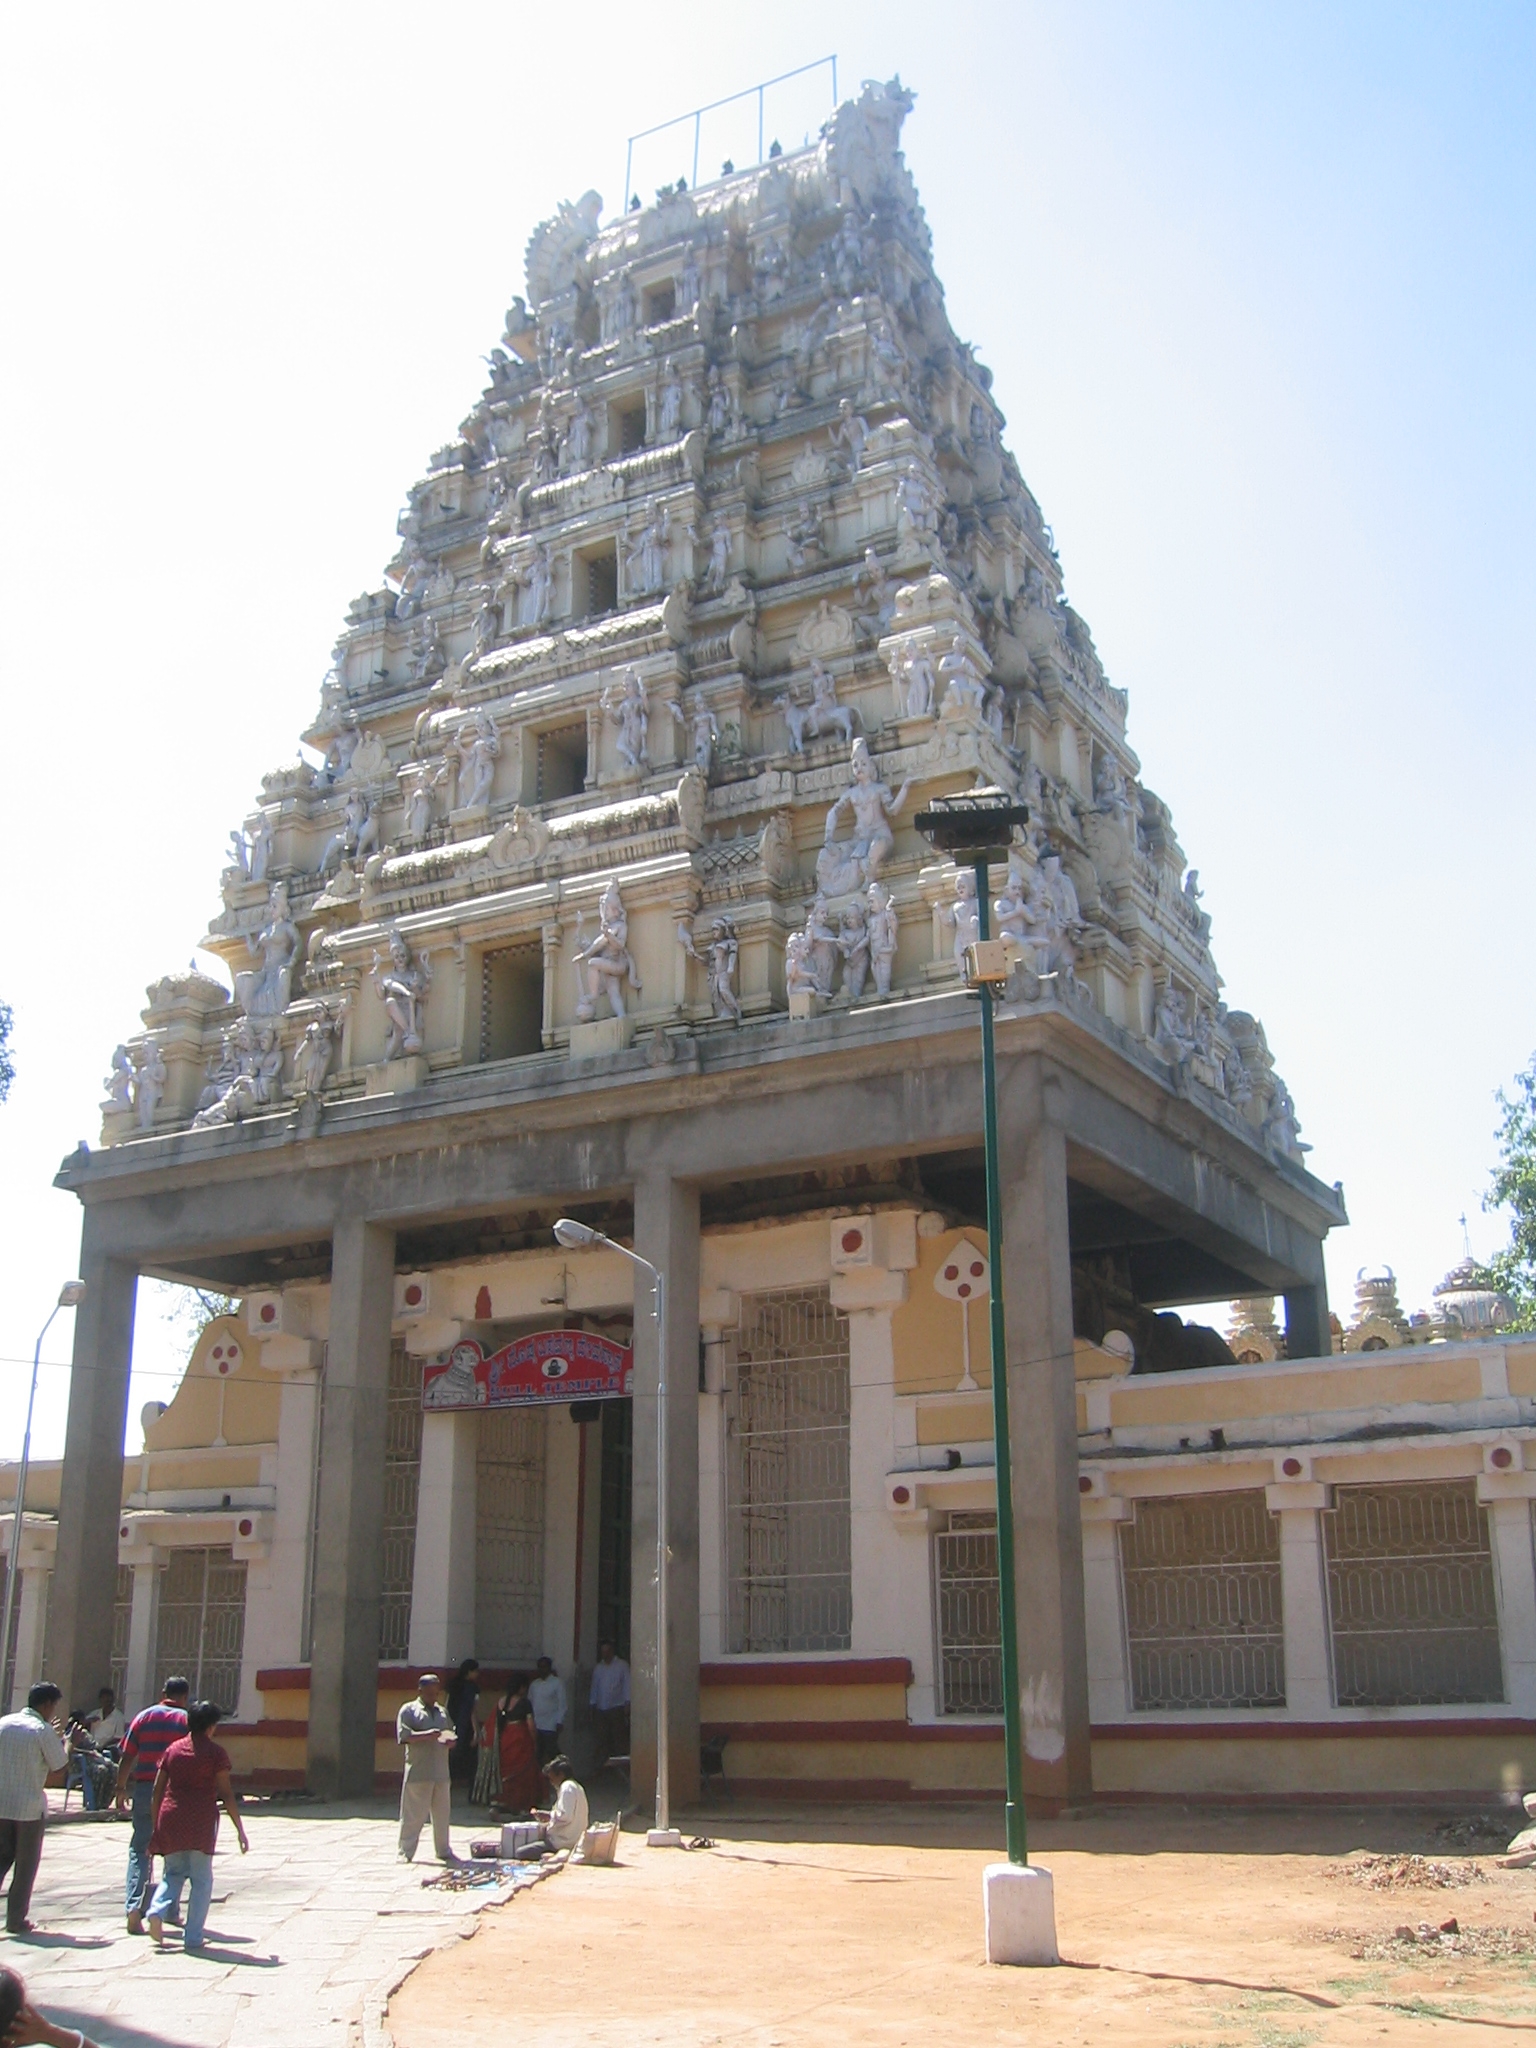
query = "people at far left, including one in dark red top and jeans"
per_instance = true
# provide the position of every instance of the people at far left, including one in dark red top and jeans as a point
(169, 1775)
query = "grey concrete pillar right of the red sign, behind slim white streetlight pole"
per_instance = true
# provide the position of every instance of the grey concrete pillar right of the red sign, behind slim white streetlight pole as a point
(667, 1234)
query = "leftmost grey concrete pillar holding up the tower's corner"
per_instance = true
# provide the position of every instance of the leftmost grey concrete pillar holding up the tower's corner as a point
(91, 1498)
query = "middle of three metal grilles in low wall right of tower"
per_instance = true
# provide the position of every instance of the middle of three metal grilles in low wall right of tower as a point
(1201, 1578)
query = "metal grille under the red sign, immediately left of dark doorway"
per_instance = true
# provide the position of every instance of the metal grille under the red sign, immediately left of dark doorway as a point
(511, 1533)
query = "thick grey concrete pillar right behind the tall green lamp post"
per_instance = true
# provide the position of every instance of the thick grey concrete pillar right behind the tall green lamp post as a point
(1043, 1437)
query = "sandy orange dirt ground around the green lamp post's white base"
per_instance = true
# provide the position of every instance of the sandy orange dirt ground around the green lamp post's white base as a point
(863, 1928)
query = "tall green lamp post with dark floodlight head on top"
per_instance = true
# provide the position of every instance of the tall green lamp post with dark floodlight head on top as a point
(978, 828)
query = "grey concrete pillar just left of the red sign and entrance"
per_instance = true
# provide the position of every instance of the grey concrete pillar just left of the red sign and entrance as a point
(349, 1529)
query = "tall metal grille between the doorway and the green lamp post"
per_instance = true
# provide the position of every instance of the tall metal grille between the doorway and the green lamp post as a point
(790, 1551)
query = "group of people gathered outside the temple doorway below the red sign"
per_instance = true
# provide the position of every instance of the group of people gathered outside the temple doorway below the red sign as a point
(509, 1756)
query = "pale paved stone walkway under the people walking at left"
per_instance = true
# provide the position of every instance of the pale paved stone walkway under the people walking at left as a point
(304, 1936)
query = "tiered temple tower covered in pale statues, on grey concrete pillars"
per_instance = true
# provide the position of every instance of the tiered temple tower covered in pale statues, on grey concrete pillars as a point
(595, 890)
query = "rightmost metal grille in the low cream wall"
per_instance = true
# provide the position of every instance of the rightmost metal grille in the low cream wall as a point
(1410, 1592)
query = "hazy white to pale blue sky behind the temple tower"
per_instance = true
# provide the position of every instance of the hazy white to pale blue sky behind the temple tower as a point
(1256, 286)
